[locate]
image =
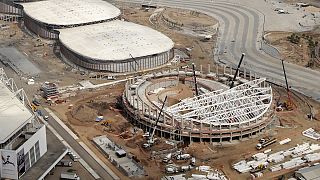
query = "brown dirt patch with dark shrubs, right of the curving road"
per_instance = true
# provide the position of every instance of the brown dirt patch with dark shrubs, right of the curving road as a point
(297, 53)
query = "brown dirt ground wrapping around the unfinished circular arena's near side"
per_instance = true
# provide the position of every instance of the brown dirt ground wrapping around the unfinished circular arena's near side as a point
(221, 156)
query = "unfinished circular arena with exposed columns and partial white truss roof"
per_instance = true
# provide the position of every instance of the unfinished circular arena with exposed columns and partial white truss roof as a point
(217, 114)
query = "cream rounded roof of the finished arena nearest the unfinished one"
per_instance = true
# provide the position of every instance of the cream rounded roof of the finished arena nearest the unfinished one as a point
(115, 40)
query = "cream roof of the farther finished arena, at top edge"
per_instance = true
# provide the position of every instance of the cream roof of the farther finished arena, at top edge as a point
(70, 12)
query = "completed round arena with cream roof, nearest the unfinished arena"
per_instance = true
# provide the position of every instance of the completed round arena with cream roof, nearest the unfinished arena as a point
(115, 46)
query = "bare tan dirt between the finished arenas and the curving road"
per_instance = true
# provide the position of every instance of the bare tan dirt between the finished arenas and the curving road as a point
(201, 53)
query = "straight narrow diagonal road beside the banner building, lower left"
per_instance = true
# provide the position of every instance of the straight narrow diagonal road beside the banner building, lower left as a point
(79, 150)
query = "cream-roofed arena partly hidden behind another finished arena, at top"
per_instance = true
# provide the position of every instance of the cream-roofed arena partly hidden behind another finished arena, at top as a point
(44, 17)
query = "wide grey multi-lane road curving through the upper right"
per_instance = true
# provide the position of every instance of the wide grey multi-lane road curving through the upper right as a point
(240, 31)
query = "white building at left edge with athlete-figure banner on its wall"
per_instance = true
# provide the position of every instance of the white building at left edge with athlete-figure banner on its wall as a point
(22, 138)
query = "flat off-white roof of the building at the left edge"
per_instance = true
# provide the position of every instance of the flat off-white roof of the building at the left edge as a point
(13, 114)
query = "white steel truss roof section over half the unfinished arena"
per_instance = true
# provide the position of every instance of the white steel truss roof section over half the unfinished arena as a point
(240, 104)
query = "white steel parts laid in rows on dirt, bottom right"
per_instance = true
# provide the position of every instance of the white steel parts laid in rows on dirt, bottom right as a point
(297, 156)
